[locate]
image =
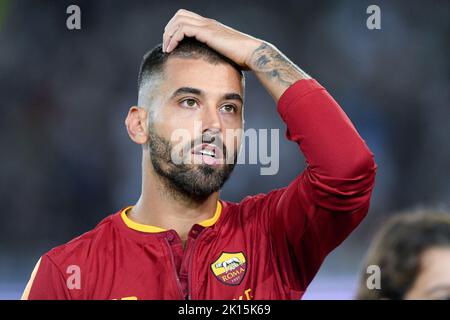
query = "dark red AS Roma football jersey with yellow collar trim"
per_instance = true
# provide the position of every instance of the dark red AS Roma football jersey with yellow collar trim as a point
(268, 246)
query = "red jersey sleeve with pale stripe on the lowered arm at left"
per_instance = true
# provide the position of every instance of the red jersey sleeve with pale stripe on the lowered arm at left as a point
(46, 282)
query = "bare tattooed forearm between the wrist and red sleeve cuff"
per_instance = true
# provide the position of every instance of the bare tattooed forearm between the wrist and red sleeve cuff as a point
(275, 71)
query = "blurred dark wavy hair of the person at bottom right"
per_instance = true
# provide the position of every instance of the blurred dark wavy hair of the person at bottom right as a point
(397, 250)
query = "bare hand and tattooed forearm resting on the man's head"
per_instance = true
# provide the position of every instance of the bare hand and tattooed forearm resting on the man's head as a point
(275, 71)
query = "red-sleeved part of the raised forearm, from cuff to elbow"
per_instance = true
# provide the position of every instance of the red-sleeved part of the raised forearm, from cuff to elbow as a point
(326, 136)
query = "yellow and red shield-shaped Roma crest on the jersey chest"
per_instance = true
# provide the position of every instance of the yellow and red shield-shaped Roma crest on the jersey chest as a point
(230, 268)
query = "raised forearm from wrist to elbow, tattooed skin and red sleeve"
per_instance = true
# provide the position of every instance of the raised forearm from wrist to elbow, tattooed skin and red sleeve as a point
(315, 121)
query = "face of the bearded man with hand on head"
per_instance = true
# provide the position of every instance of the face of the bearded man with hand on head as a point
(197, 106)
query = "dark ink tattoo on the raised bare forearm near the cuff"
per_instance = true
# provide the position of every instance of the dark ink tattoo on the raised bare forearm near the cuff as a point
(267, 60)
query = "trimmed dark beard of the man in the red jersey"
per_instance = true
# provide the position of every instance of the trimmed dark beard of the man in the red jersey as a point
(193, 181)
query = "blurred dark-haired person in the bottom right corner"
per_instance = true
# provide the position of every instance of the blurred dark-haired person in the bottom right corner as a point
(412, 252)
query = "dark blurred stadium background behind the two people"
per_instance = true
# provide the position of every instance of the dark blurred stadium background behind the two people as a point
(67, 162)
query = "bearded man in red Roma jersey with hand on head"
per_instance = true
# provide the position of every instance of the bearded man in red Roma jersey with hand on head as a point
(179, 241)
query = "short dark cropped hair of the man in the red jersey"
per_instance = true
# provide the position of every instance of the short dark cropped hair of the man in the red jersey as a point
(154, 60)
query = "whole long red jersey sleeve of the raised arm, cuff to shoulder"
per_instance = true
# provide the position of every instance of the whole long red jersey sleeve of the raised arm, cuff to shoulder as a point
(319, 209)
